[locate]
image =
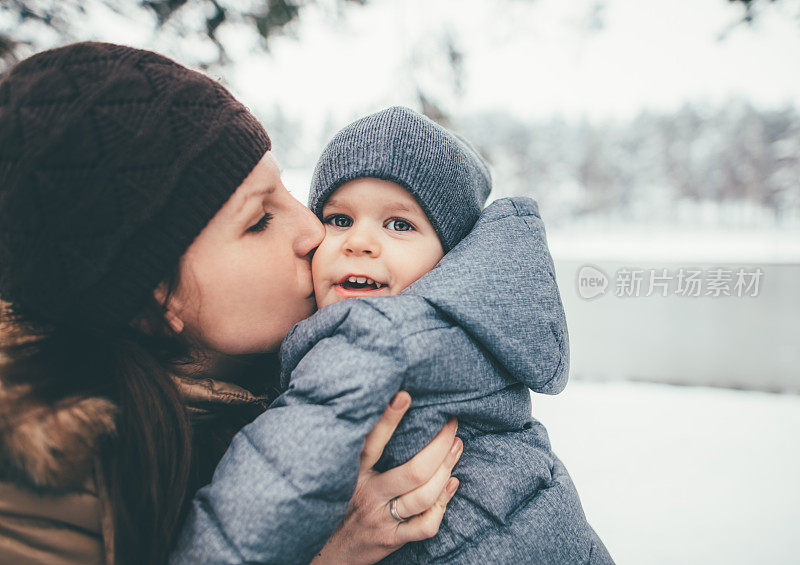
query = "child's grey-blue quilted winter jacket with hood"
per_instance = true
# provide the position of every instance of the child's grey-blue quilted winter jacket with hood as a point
(469, 340)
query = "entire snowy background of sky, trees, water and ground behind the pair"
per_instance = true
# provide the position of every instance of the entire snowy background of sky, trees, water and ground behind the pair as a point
(655, 135)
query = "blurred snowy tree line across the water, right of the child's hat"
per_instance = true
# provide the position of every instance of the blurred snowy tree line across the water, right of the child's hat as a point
(654, 167)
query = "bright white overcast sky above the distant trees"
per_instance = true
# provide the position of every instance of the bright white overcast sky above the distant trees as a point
(537, 58)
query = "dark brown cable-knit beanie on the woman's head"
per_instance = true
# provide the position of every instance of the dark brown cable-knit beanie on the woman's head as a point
(112, 160)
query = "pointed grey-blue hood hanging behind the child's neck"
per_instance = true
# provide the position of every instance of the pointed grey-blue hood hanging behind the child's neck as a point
(506, 299)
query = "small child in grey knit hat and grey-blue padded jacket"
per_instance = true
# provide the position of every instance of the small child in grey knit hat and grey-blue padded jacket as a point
(455, 305)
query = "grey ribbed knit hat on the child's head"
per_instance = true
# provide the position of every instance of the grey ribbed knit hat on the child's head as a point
(440, 169)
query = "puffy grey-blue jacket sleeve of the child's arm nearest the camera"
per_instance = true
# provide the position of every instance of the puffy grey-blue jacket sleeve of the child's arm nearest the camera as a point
(287, 478)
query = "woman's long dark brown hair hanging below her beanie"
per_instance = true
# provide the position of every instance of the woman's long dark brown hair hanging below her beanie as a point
(146, 466)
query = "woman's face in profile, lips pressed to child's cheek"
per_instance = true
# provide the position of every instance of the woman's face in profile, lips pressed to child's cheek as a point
(246, 279)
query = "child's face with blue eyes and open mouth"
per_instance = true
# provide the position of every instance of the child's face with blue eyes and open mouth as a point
(377, 242)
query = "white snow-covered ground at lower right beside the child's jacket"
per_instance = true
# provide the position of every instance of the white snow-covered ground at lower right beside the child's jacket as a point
(679, 474)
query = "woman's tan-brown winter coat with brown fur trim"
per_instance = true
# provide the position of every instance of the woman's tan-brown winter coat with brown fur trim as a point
(53, 506)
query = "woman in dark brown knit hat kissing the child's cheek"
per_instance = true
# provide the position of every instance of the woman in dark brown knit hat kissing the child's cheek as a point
(150, 264)
